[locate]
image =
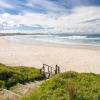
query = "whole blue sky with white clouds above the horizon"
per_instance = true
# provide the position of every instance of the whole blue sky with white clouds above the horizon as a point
(50, 16)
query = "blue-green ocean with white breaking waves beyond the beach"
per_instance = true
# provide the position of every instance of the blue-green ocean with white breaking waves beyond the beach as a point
(88, 39)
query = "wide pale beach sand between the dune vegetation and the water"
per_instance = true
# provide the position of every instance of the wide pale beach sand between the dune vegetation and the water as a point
(69, 58)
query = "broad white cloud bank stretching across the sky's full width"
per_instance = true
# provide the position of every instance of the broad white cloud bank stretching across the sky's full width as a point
(75, 22)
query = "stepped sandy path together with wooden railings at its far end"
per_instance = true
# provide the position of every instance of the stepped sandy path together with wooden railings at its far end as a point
(20, 90)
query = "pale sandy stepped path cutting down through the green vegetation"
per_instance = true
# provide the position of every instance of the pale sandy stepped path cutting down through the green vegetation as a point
(18, 91)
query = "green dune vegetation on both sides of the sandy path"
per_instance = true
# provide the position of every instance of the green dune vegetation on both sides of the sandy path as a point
(63, 86)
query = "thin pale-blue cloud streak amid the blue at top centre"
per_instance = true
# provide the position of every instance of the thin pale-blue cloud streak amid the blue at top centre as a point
(47, 5)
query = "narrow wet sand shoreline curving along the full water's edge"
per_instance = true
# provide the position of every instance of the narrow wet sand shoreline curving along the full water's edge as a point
(67, 45)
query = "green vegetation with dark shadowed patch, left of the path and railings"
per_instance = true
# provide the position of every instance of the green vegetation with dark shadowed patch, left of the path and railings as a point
(10, 76)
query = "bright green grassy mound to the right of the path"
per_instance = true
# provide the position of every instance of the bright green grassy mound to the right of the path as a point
(68, 86)
